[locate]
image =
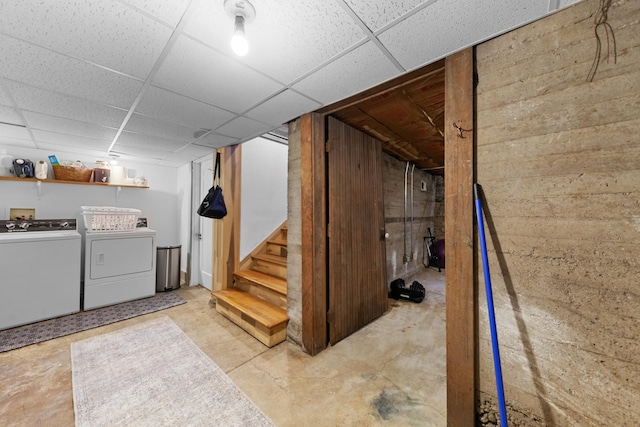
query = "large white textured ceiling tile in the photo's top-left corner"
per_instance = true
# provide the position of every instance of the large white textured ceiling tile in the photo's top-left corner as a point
(107, 32)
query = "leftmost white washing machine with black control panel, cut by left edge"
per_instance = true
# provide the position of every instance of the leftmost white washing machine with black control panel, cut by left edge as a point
(40, 270)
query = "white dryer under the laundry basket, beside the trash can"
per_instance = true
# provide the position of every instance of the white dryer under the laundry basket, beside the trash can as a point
(118, 266)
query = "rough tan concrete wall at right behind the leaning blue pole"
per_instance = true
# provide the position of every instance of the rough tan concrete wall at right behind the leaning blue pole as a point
(559, 161)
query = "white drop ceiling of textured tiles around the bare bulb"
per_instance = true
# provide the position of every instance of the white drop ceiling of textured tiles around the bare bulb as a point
(155, 81)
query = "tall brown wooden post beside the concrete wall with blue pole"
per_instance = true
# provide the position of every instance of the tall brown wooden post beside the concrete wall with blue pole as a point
(459, 234)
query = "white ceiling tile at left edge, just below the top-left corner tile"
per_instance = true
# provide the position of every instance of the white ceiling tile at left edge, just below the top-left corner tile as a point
(43, 68)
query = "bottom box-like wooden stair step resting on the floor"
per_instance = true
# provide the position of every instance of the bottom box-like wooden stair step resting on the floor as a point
(259, 318)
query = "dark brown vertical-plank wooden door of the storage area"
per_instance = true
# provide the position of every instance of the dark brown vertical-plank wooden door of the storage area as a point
(357, 259)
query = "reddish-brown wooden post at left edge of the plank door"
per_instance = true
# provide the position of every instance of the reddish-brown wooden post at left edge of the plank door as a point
(314, 232)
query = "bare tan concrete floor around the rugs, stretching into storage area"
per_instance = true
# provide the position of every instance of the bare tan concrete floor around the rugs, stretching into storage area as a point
(391, 372)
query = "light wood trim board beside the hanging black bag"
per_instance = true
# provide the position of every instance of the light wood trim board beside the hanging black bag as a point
(226, 232)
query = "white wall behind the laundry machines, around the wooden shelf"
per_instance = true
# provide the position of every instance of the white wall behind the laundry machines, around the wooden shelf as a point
(160, 203)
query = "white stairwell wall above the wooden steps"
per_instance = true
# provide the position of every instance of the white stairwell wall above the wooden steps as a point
(264, 191)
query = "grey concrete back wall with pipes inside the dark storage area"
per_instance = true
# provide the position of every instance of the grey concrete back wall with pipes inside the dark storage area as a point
(428, 212)
